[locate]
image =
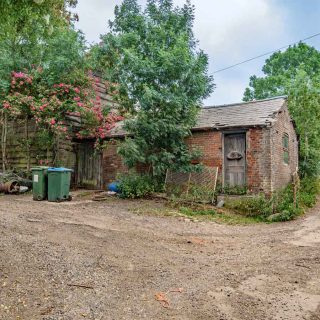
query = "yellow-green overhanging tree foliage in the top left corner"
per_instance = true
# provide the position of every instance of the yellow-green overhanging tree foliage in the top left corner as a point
(25, 27)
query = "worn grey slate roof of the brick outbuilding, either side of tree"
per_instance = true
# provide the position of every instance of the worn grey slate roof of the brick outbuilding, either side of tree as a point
(259, 113)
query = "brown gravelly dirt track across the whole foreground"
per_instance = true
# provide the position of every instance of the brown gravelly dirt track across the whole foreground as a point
(89, 260)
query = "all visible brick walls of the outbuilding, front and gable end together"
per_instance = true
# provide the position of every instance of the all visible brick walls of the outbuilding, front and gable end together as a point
(265, 169)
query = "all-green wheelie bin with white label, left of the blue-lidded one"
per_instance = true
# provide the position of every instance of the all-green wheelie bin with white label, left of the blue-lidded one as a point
(39, 183)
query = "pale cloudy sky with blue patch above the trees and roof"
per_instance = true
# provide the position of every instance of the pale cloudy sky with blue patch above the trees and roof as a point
(229, 31)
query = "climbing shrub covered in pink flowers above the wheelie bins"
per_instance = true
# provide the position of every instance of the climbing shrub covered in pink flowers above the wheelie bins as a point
(52, 107)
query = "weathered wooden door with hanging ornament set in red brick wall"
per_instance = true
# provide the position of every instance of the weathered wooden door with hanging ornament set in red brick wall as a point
(235, 159)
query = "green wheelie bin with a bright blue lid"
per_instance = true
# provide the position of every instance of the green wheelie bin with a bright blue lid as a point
(59, 184)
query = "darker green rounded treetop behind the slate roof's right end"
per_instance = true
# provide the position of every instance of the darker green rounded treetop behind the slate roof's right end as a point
(280, 69)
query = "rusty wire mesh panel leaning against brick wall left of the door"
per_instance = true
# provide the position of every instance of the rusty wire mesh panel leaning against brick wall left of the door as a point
(194, 186)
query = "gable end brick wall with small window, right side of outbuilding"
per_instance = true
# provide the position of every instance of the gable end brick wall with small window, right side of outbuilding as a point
(282, 172)
